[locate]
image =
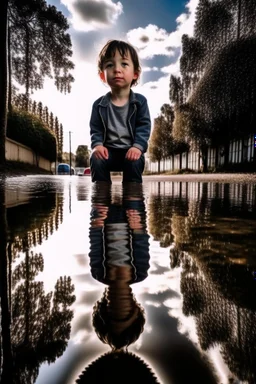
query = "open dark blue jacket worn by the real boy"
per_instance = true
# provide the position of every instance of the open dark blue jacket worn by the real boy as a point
(138, 121)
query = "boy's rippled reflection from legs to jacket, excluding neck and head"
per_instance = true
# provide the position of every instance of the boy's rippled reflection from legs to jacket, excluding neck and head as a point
(118, 233)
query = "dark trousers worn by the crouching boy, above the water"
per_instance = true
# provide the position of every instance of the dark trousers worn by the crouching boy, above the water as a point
(116, 162)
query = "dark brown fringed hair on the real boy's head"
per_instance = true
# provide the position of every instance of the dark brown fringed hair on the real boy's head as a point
(109, 50)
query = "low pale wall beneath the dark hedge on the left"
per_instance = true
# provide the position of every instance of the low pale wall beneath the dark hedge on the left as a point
(18, 152)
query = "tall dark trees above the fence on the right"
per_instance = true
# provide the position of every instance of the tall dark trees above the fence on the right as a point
(214, 97)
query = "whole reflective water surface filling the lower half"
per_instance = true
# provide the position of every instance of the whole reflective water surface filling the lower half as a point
(158, 281)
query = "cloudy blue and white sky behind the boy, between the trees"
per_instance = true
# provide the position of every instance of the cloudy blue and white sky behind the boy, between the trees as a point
(154, 27)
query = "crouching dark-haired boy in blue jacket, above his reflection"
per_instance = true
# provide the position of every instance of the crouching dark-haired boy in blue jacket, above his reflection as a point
(120, 121)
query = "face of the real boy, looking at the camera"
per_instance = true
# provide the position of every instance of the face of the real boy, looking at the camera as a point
(118, 72)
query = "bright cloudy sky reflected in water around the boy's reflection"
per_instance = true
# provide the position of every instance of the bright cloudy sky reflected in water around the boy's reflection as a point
(66, 253)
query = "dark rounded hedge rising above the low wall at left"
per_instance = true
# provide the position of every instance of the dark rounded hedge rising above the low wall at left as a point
(29, 130)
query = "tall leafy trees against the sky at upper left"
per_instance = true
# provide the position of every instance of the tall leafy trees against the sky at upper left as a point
(34, 44)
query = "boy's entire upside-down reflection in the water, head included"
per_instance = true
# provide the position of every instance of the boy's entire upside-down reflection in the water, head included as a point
(119, 256)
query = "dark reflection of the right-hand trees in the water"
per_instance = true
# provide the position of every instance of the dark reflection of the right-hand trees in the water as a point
(215, 246)
